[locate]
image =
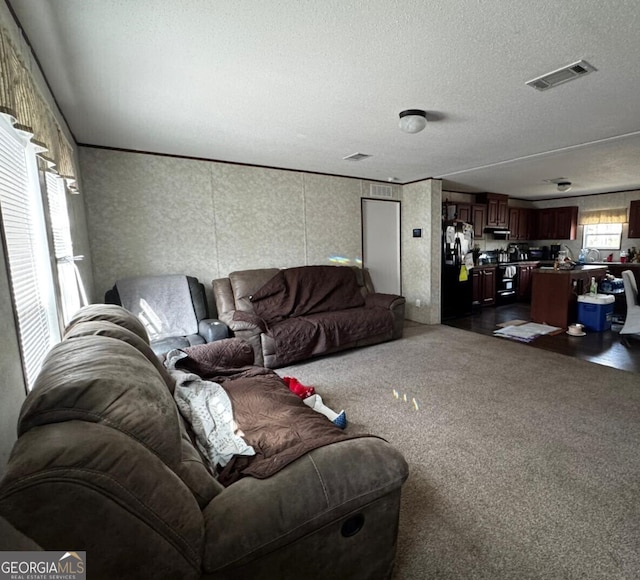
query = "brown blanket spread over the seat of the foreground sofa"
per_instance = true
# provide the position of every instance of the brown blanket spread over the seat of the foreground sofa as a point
(275, 421)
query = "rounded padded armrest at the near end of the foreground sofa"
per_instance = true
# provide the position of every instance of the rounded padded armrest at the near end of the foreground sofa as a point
(254, 518)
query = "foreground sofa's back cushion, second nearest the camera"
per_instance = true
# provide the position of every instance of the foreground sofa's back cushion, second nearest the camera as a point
(105, 380)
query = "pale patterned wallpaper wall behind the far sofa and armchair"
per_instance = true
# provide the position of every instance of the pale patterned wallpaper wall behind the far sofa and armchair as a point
(150, 214)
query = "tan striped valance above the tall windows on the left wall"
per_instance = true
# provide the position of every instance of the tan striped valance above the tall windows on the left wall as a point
(20, 98)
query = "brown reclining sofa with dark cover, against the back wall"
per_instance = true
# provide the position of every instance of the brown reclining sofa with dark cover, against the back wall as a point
(292, 314)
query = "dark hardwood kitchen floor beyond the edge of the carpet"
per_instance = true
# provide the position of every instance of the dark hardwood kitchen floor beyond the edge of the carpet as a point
(605, 348)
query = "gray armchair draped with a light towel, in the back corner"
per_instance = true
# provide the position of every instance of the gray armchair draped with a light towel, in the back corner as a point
(173, 309)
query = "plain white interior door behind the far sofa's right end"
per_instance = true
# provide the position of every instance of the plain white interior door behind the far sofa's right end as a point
(381, 243)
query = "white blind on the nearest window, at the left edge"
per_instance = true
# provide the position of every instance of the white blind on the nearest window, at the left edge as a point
(23, 228)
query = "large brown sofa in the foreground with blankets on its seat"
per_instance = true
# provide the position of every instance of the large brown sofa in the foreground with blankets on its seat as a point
(105, 464)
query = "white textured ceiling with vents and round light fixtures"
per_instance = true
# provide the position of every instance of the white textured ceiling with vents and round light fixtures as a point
(300, 84)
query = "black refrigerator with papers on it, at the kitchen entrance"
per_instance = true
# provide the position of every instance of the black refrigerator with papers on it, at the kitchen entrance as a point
(456, 289)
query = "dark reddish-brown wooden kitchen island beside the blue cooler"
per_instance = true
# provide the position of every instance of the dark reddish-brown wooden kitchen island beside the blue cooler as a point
(554, 293)
